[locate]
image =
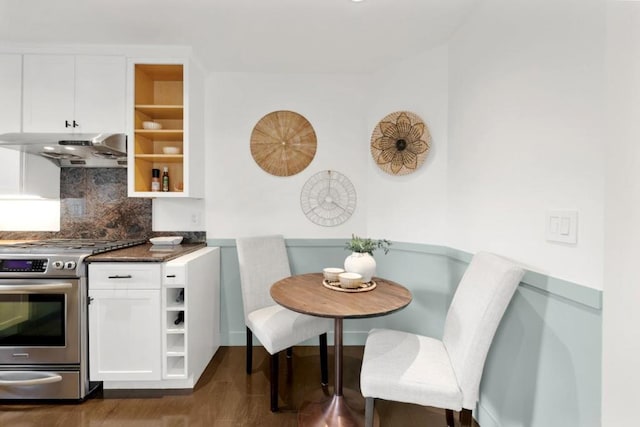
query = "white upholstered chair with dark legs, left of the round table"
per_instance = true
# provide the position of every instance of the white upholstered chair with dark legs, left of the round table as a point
(263, 261)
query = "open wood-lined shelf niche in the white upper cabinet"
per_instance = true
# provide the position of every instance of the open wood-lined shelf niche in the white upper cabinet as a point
(159, 97)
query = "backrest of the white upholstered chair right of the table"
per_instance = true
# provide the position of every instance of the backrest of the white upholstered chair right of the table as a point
(480, 301)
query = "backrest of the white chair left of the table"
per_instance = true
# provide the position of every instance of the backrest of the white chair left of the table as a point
(263, 261)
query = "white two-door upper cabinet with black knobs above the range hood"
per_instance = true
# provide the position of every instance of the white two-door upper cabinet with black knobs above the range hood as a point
(67, 93)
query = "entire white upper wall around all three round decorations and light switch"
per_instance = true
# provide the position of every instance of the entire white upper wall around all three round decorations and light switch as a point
(515, 107)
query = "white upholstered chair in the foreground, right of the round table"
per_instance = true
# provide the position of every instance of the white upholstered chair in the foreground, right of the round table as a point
(445, 373)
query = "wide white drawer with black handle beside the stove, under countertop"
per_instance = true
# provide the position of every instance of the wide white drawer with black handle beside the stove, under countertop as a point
(124, 275)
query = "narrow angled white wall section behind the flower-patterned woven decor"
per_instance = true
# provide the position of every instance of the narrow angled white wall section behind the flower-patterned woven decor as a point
(410, 208)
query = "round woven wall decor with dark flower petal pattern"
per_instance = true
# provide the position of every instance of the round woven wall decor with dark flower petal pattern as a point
(400, 143)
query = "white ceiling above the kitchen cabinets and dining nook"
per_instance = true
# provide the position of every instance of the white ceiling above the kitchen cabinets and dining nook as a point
(297, 36)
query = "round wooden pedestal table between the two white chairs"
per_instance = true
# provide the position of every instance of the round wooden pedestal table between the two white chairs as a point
(306, 294)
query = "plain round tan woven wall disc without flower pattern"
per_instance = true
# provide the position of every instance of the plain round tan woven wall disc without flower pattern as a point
(283, 143)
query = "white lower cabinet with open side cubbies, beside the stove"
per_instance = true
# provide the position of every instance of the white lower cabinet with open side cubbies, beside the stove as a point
(154, 325)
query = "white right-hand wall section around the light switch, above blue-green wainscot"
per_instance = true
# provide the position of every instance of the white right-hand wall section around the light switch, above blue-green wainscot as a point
(526, 132)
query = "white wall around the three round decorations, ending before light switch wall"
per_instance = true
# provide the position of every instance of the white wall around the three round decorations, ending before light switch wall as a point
(242, 199)
